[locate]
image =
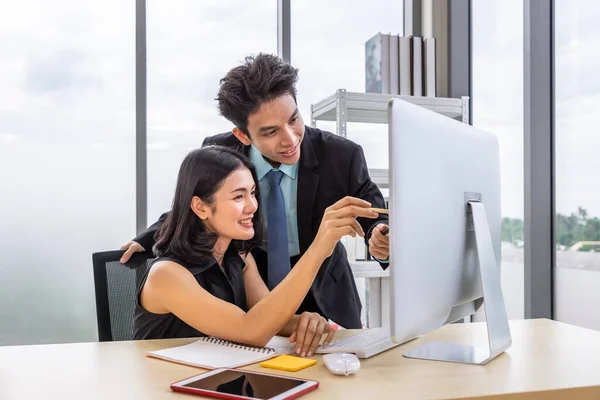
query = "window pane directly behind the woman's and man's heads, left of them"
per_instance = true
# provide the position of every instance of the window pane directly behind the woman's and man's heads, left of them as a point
(191, 46)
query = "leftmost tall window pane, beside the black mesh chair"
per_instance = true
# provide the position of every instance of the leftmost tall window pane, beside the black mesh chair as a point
(67, 131)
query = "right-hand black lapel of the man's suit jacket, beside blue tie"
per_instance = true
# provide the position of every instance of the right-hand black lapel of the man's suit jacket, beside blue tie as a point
(308, 182)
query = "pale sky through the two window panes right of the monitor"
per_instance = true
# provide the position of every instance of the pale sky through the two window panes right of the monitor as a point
(498, 98)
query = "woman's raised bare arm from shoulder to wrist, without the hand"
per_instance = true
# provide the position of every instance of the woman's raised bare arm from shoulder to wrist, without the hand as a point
(172, 288)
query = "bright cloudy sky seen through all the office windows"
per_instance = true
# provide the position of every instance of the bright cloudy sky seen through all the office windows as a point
(67, 119)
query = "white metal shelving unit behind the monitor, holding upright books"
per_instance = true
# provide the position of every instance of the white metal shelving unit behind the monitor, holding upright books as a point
(343, 107)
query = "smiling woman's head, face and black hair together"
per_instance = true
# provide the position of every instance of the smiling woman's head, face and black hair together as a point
(212, 181)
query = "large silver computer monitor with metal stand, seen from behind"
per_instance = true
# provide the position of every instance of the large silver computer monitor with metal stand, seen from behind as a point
(444, 231)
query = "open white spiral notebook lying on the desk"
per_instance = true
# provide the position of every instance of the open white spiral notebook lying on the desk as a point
(210, 352)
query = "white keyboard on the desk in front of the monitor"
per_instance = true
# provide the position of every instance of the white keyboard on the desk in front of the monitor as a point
(364, 344)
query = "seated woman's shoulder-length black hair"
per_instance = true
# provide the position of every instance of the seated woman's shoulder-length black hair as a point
(183, 235)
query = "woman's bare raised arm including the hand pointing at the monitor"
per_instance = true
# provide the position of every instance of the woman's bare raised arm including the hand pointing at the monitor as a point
(172, 288)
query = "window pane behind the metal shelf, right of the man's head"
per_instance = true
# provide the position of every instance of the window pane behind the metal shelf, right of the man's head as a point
(328, 47)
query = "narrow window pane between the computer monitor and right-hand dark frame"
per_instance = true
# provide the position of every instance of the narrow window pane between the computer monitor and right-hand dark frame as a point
(497, 32)
